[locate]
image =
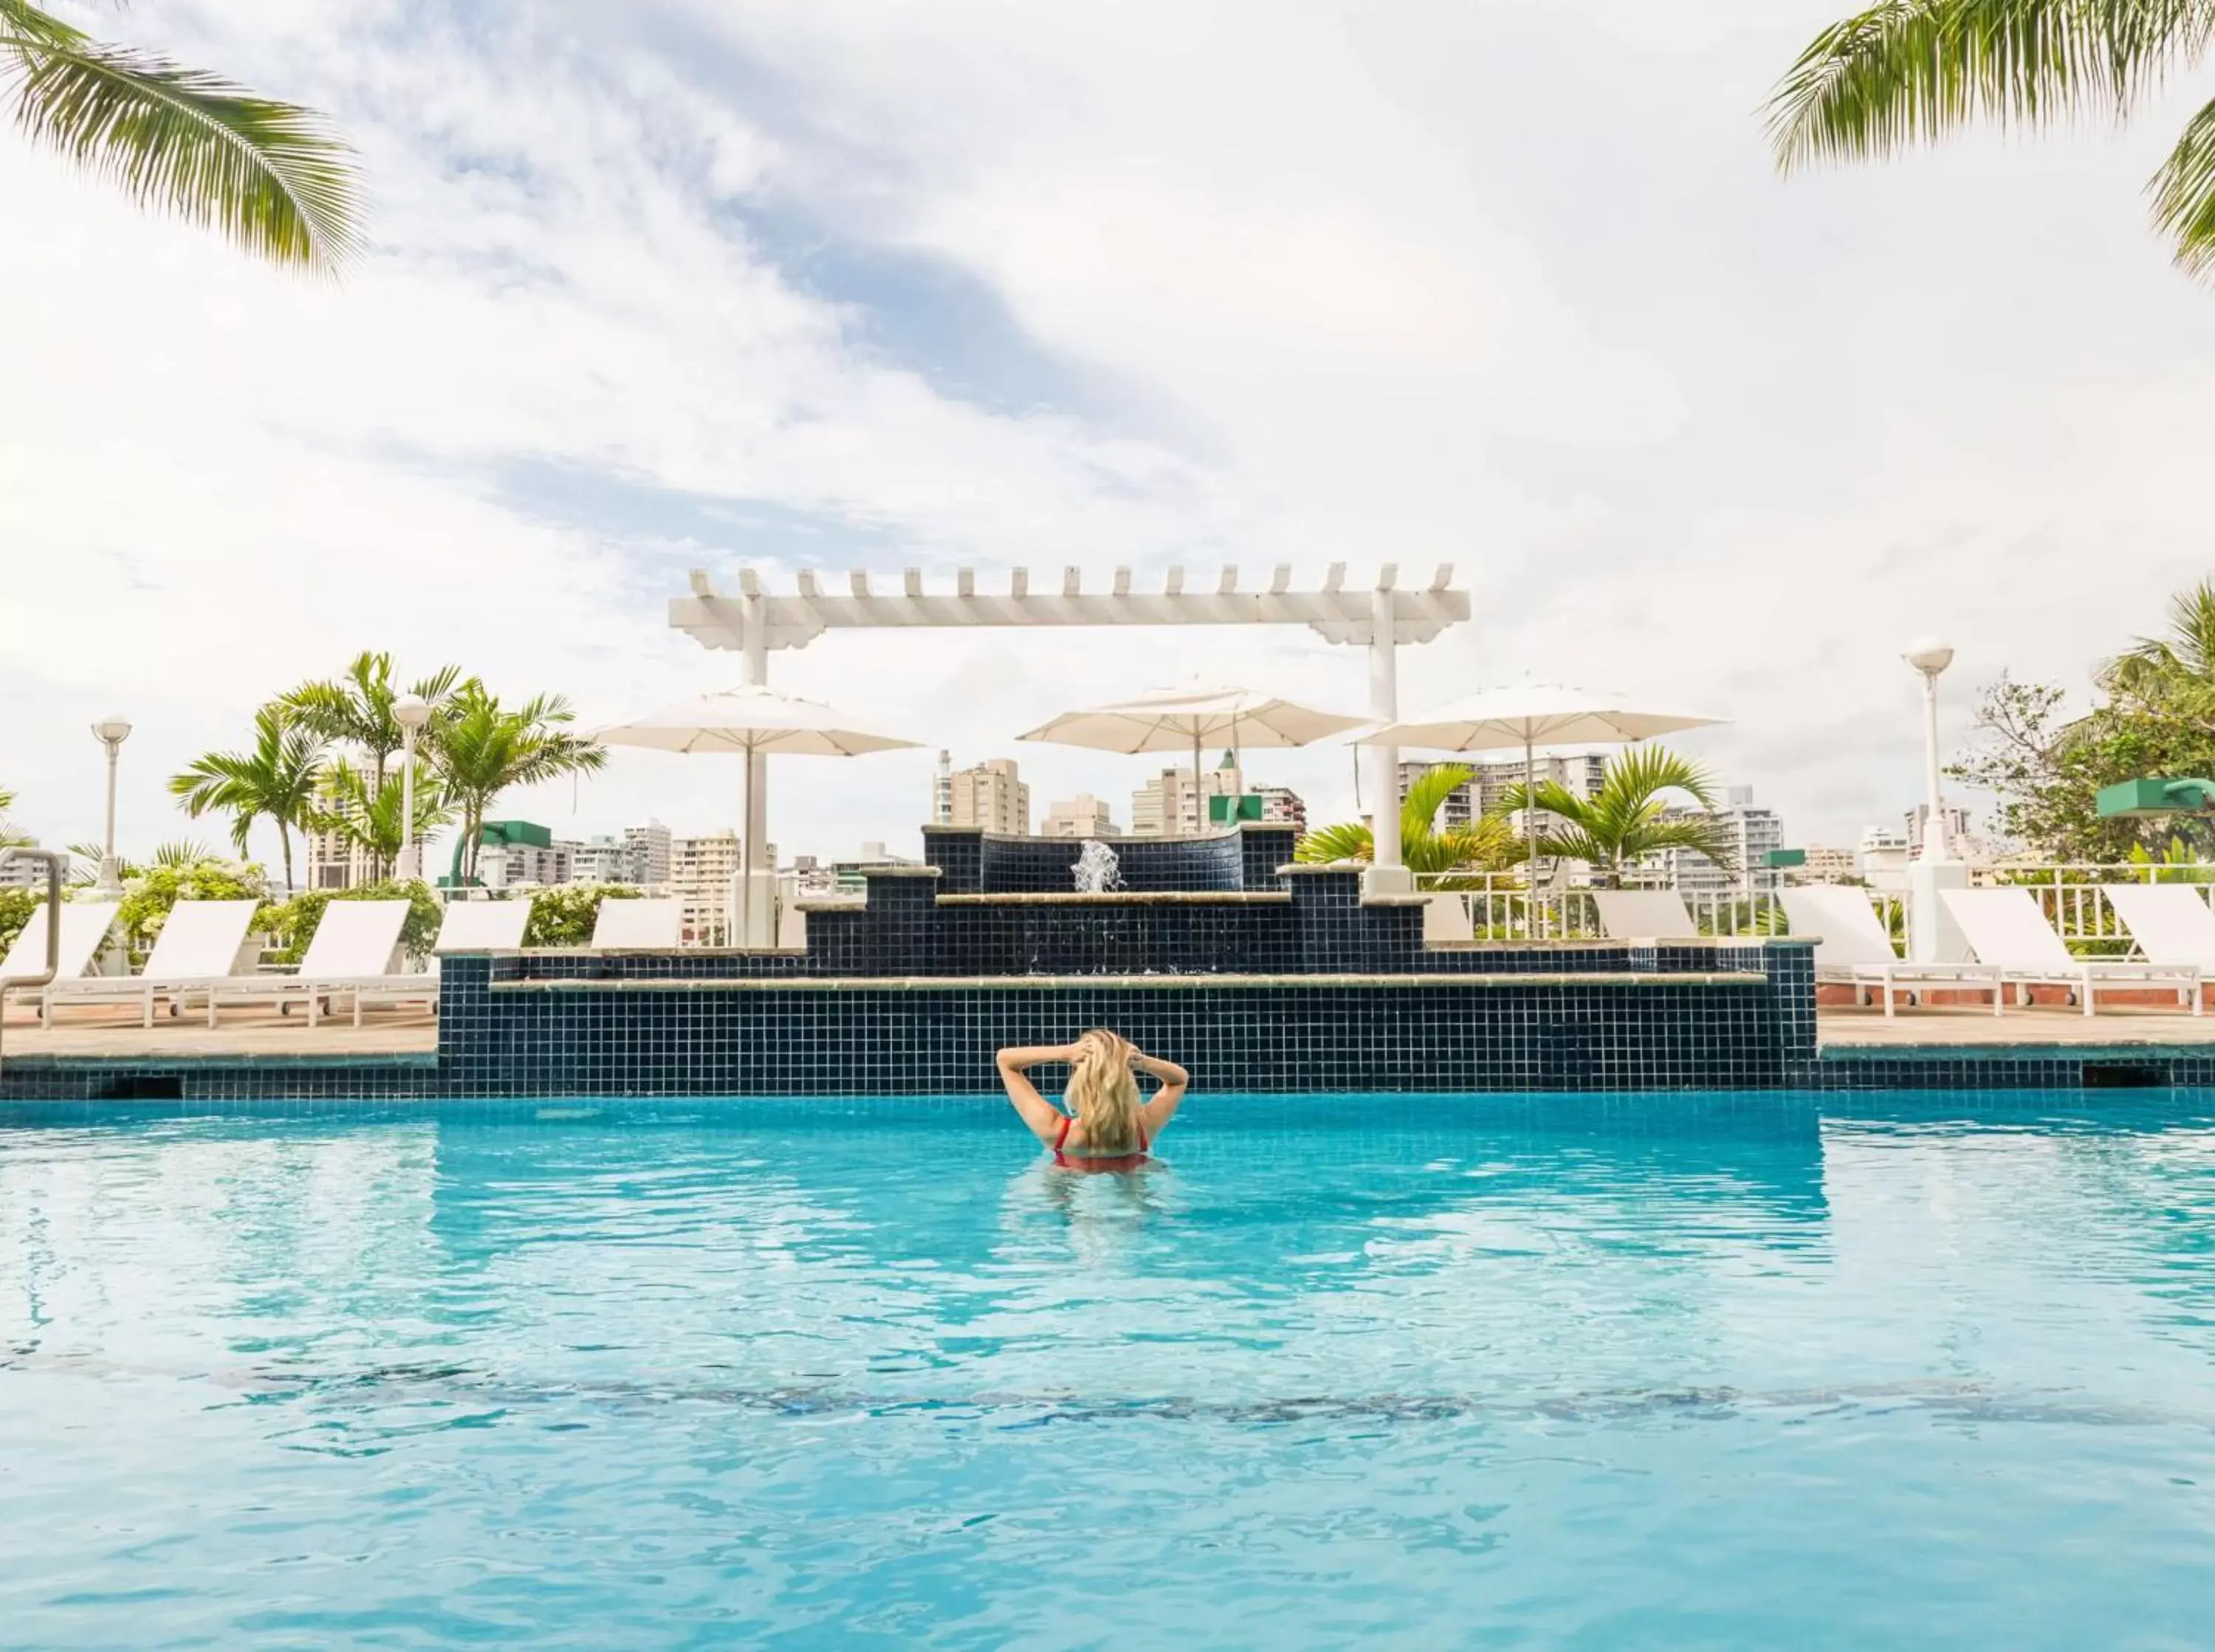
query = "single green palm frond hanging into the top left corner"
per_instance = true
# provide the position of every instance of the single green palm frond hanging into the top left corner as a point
(269, 176)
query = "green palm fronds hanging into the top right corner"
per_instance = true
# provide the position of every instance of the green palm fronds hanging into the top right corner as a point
(1908, 72)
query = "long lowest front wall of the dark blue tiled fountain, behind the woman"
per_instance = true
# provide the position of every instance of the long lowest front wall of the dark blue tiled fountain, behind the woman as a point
(728, 1037)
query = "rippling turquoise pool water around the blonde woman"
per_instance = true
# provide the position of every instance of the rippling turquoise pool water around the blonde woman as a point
(1412, 1372)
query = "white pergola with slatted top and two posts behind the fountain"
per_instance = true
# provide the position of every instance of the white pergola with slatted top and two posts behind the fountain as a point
(1381, 617)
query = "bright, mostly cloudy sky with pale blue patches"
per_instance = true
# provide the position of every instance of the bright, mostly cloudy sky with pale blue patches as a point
(823, 287)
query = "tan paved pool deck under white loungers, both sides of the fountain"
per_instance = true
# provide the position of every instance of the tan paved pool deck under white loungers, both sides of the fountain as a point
(260, 1035)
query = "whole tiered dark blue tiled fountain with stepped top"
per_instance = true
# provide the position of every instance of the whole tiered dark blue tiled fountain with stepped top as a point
(1219, 951)
